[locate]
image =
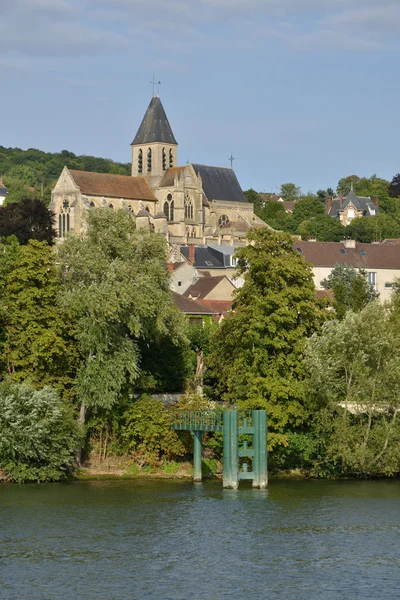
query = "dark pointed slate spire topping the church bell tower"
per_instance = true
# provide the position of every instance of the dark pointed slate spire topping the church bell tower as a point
(155, 126)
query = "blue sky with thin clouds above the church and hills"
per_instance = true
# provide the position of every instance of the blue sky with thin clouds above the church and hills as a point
(302, 91)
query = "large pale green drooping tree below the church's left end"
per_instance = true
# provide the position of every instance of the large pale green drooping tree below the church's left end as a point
(115, 295)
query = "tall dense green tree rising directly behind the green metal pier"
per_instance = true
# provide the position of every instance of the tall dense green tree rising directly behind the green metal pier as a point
(257, 352)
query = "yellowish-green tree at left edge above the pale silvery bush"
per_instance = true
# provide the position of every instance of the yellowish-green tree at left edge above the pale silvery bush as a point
(36, 345)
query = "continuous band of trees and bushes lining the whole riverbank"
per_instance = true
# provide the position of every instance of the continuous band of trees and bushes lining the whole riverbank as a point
(89, 335)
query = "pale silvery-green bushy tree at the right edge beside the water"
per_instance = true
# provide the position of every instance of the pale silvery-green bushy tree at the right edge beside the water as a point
(354, 367)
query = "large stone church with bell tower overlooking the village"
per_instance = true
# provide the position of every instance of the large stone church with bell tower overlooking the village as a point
(196, 204)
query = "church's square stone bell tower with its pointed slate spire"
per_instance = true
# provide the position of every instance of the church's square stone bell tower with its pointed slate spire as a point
(154, 148)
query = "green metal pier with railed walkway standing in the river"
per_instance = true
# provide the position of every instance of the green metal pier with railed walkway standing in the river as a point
(232, 423)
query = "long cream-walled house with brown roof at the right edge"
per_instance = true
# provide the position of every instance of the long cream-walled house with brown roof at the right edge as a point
(380, 261)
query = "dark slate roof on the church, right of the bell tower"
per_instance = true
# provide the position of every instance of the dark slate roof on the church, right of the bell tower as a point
(220, 183)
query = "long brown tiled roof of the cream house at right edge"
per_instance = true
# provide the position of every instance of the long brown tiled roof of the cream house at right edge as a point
(367, 256)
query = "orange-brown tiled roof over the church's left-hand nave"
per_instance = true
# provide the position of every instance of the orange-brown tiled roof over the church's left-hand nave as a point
(113, 186)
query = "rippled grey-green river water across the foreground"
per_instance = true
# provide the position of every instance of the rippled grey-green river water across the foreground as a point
(174, 540)
